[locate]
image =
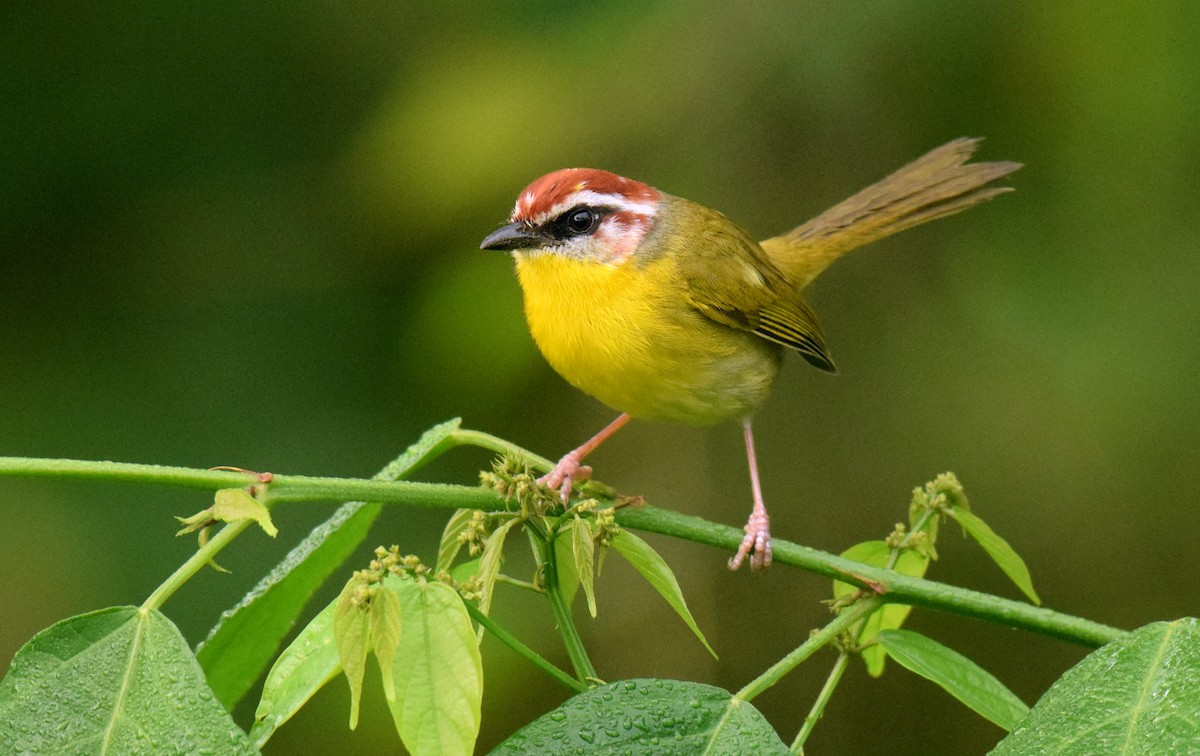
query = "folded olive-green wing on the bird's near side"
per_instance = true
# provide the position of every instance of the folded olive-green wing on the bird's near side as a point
(730, 280)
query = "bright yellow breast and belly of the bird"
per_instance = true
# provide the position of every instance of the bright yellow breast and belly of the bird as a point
(622, 335)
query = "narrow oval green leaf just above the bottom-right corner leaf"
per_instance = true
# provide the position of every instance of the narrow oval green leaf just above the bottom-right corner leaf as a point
(957, 675)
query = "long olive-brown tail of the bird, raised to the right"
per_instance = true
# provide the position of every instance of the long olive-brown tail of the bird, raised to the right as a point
(939, 184)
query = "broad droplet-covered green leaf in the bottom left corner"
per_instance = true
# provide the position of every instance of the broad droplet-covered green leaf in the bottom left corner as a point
(119, 681)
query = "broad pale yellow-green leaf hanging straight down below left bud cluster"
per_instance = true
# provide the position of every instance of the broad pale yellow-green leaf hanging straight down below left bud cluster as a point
(439, 673)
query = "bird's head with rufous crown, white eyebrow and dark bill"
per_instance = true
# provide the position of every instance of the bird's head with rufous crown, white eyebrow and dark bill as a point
(580, 213)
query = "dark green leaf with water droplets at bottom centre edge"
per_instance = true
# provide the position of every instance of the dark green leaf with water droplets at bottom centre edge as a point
(650, 717)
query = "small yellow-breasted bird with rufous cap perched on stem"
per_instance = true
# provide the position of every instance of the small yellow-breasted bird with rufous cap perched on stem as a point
(665, 310)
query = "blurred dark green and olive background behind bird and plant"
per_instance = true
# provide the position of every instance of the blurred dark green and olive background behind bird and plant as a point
(248, 235)
